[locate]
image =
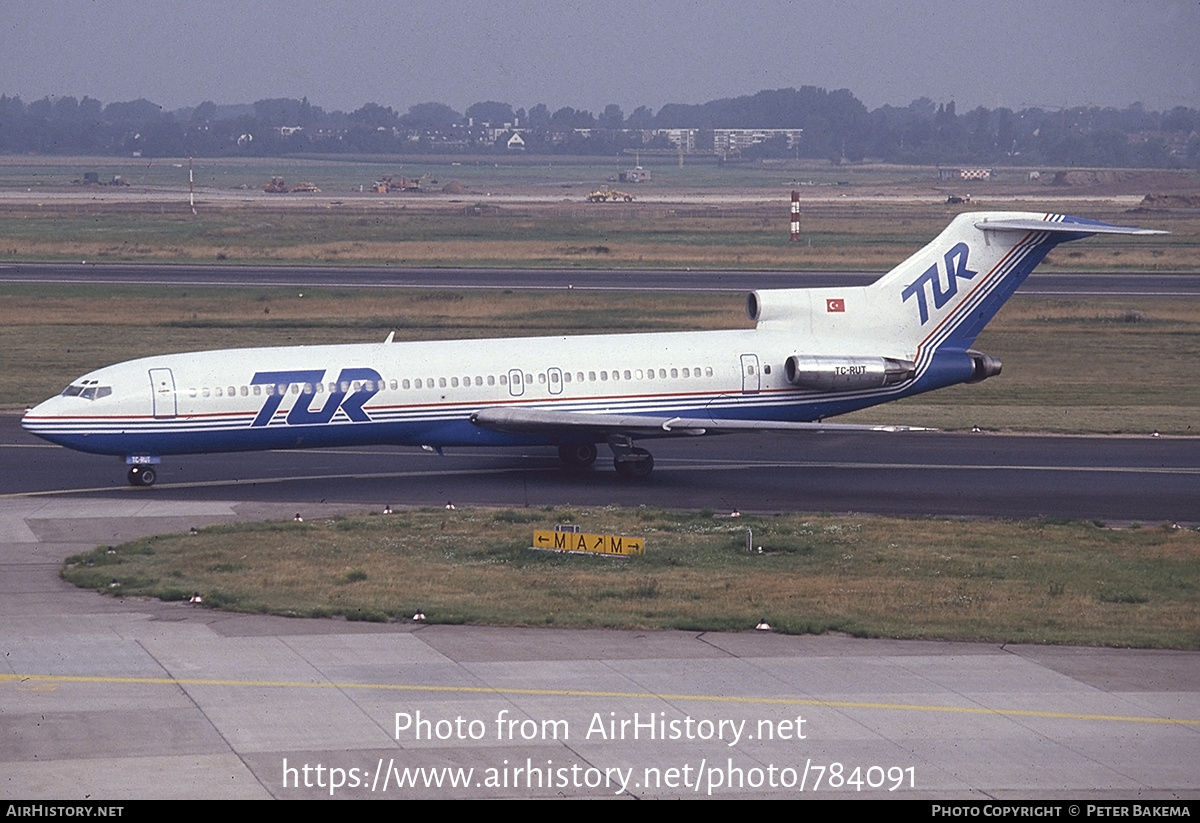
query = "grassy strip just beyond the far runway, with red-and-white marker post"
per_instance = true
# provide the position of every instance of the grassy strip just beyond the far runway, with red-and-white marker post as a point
(857, 236)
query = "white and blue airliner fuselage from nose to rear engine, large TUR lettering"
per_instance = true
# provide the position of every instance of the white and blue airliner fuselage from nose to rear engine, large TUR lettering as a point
(421, 394)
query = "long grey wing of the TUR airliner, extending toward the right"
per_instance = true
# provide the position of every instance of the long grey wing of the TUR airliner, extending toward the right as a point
(547, 422)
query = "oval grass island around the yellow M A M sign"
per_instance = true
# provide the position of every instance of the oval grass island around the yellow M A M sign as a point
(1030, 582)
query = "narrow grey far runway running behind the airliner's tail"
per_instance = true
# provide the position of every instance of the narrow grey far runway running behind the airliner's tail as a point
(1076, 284)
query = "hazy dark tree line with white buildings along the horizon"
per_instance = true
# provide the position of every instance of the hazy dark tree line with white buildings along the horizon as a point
(837, 128)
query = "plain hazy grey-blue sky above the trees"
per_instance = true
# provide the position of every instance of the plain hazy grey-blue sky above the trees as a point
(586, 55)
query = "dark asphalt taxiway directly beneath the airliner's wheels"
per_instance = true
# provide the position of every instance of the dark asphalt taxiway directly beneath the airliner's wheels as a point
(919, 473)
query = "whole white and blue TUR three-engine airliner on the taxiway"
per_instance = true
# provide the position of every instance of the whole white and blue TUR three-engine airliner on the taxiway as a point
(814, 355)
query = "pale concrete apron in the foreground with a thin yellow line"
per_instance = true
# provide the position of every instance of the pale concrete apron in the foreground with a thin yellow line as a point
(105, 699)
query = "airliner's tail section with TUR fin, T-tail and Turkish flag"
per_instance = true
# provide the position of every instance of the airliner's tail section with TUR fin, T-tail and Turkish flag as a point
(917, 323)
